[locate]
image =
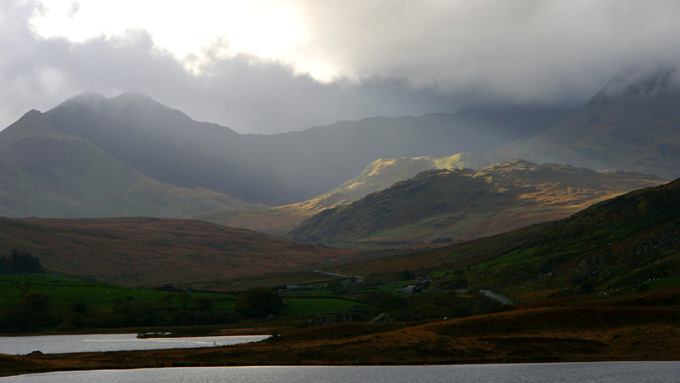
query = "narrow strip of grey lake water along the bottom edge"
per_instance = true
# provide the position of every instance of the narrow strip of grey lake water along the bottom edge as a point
(614, 372)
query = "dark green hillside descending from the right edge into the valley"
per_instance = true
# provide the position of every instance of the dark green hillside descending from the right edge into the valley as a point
(617, 247)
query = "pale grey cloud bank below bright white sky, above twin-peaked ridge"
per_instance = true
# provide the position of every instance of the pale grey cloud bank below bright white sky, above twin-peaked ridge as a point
(243, 92)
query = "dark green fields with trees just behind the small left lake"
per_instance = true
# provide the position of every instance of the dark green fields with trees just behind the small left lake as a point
(49, 302)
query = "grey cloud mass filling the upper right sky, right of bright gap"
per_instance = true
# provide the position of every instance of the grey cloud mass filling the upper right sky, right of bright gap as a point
(521, 50)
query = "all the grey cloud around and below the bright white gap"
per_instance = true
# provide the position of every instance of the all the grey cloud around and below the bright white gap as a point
(396, 58)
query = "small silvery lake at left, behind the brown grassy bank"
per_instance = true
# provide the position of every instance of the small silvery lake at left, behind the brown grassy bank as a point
(57, 344)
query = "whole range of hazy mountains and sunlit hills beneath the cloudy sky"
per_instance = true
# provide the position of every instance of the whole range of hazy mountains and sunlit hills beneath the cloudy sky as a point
(131, 156)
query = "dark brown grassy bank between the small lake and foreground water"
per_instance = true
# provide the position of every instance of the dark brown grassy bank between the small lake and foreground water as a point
(566, 335)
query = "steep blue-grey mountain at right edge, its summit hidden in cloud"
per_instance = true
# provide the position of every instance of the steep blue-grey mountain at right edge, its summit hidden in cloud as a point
(633, 123)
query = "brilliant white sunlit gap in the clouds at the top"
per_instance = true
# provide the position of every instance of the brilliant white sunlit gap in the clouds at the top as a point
(197, 33)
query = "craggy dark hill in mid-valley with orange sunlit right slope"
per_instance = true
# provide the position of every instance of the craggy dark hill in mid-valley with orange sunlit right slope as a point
(464, 204)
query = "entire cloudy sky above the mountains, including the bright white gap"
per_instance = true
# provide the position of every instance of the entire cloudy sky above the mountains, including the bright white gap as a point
(265, 66)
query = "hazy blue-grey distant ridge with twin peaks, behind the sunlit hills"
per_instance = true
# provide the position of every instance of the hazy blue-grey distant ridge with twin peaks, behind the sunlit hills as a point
(168, 146)
